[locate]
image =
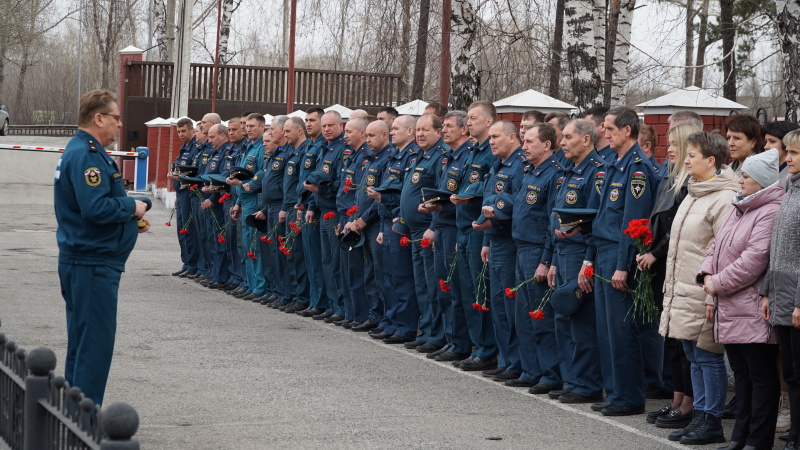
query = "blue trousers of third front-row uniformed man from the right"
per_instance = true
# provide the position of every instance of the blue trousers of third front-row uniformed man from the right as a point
(538, 351)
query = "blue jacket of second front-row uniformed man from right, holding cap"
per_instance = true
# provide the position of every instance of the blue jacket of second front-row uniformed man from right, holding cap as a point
(578, 187)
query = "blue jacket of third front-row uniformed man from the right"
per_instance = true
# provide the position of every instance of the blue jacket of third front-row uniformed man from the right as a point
(533, 204)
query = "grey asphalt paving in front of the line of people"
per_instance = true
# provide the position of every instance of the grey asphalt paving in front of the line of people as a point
(207, 371)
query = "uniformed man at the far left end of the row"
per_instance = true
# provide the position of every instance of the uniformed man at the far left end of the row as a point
(183, 211)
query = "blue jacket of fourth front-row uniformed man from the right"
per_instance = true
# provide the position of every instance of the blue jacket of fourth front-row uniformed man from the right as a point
(504, 178)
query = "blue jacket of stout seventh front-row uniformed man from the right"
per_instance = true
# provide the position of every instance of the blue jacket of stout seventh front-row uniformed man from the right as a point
(425, 172)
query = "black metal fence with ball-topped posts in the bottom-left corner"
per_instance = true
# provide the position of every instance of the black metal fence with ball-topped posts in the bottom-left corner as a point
(40, 411)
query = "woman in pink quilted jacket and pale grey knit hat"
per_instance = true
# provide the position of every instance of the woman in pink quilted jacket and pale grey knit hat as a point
(733, 273)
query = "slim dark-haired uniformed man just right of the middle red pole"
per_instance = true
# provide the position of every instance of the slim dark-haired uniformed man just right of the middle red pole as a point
(311, 233)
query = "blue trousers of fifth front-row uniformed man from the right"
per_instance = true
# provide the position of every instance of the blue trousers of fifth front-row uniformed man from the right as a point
(479, 324)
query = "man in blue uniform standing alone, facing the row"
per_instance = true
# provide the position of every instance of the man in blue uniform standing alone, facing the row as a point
(97, 230)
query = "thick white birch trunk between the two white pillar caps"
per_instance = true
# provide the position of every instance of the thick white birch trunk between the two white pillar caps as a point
(582, 54)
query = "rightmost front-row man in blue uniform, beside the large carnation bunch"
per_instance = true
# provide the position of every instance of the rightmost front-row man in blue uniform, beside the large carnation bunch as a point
(628, 192)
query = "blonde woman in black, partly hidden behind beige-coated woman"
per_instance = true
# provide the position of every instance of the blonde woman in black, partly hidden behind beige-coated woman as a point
(671, 193)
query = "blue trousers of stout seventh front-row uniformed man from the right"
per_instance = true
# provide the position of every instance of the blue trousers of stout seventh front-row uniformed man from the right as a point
(426, 284)
